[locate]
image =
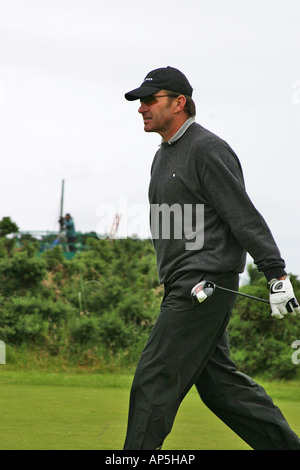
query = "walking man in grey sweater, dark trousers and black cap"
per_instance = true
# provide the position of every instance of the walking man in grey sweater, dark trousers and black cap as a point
(188, 345)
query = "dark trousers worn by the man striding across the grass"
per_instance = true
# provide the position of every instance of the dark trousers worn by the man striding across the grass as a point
(189, 346)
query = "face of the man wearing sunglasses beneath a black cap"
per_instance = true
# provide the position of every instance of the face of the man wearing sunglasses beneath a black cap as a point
(158, 116)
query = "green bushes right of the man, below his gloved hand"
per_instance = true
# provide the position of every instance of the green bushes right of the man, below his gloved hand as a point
(261, 344)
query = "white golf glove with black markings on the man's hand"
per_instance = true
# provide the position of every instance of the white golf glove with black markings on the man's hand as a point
(282, 298)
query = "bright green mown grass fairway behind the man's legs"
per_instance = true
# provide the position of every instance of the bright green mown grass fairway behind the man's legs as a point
(44, 411)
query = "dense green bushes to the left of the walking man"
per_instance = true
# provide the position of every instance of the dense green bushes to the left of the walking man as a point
(92, 301)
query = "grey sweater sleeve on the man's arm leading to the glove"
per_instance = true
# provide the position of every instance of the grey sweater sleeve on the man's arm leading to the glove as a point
(223, 184)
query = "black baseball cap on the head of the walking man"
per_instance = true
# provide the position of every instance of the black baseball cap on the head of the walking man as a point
(166, 78)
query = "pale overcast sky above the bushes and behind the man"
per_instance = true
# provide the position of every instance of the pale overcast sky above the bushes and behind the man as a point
(66, 64)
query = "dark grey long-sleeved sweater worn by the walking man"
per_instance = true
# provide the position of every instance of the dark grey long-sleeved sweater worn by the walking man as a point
(200, 170)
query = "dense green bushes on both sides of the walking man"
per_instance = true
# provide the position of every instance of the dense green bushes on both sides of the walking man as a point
(100, 306)
